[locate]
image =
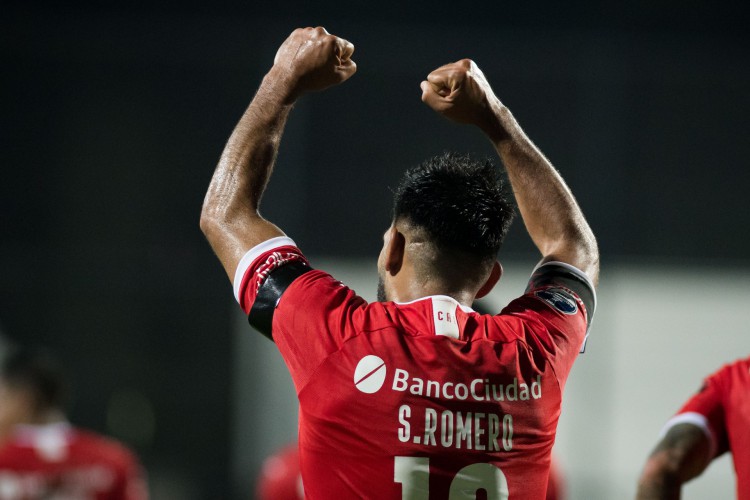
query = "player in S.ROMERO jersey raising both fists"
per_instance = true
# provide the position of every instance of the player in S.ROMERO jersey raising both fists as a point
(413, 396)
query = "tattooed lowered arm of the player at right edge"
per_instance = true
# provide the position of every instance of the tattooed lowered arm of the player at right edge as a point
(682, 454)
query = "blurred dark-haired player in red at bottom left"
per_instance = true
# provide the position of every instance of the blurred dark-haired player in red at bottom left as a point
(42, 455)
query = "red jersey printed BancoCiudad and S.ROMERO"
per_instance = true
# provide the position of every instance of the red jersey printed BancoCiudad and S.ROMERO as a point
(426, 399)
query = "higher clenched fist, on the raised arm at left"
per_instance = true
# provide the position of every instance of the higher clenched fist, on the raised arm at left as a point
(312, 59)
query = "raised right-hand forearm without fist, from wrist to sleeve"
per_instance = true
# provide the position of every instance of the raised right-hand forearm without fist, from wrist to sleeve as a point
(551, 214)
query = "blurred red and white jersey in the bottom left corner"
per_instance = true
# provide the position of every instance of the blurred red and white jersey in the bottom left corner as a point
(61, 462)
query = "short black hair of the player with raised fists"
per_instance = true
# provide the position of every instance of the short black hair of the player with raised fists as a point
(461, 203)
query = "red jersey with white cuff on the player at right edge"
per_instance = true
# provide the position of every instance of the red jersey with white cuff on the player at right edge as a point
(722, 409)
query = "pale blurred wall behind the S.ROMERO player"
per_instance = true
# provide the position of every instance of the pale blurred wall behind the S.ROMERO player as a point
(657, 332)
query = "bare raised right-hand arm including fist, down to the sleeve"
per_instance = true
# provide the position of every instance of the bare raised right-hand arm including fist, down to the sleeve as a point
(552, 217)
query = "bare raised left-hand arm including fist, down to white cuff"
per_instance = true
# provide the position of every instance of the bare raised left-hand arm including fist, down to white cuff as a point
(310, 59)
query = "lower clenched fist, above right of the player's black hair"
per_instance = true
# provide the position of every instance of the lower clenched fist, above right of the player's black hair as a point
(459, 91)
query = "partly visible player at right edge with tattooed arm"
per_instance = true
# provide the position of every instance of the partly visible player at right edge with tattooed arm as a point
(712, 422)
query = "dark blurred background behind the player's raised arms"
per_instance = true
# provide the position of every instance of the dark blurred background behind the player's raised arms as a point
(113, 119)
